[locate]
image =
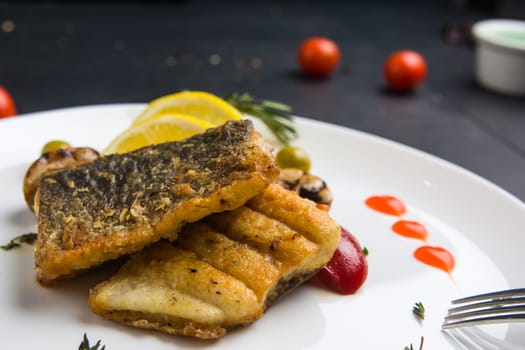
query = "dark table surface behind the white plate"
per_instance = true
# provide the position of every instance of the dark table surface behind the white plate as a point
(67, 54)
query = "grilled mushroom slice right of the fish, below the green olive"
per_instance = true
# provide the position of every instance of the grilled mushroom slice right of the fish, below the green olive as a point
(306, 185)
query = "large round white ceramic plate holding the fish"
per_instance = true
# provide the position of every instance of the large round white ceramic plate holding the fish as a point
(479, 223)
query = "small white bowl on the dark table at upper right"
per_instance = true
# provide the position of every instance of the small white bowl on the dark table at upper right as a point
(500, 55)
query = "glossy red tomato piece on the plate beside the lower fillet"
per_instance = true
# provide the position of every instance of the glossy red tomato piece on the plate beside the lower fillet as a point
(346, 272)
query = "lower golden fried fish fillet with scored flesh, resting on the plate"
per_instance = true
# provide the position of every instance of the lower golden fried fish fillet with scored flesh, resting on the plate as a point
(224, 271)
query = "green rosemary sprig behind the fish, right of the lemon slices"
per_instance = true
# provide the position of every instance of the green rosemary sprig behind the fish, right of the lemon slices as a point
(275, 115)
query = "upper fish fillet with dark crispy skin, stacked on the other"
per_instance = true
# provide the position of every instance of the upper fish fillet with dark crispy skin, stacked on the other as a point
(118, 204)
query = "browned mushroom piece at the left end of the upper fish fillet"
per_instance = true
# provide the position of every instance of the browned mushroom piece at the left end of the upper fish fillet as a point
(62, 158)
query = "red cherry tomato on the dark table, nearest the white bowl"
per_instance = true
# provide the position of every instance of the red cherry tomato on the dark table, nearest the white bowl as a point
(404, 70)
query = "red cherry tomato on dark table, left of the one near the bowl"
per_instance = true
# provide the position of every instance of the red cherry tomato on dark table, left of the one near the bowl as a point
(318, 56)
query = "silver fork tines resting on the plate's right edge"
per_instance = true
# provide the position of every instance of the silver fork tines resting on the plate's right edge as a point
(498, 307)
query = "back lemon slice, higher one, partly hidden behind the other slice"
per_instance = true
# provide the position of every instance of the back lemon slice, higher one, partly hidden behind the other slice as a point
(199, 104)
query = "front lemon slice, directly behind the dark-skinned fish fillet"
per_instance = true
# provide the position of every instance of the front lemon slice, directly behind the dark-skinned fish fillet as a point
(158, 129)
